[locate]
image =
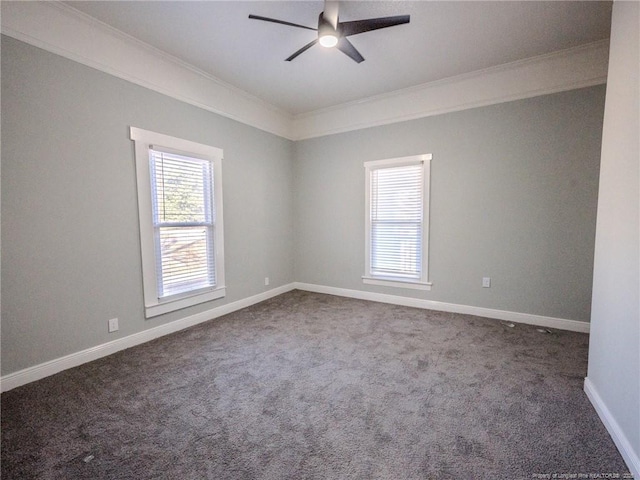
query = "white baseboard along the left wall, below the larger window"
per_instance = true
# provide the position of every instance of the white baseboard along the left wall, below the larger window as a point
(52, 367)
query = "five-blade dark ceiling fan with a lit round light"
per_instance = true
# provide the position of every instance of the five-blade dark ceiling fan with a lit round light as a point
(333, 33)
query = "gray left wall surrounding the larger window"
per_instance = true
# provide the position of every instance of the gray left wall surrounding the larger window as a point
(70, 241)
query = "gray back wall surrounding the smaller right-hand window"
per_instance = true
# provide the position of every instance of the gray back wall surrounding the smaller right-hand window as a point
(514, 193)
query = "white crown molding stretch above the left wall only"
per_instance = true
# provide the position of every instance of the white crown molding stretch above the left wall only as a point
(65, 31)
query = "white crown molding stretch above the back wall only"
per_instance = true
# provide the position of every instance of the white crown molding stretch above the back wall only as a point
(577, 67)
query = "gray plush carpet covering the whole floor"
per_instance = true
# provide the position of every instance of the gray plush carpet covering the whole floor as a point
(310, 386)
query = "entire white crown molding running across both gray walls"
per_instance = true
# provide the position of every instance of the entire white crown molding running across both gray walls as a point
(63, 30)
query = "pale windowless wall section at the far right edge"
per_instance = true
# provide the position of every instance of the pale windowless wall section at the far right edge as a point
(614, 346)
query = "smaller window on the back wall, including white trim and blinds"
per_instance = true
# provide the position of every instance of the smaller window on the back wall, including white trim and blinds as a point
(397, 222)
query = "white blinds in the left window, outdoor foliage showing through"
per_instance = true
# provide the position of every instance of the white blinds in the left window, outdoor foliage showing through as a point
(183, 222)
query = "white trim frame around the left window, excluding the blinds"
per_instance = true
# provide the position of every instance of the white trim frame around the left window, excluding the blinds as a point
(143, 140)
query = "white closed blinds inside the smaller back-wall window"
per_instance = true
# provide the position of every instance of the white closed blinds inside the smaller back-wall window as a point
(396, 221)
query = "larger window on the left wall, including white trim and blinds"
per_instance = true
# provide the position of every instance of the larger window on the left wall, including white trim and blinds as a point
(181, 229)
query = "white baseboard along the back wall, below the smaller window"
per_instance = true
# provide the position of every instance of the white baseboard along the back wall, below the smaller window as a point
(538, 320)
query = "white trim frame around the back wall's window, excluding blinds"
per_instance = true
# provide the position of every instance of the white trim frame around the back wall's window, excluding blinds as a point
(423, 283)
